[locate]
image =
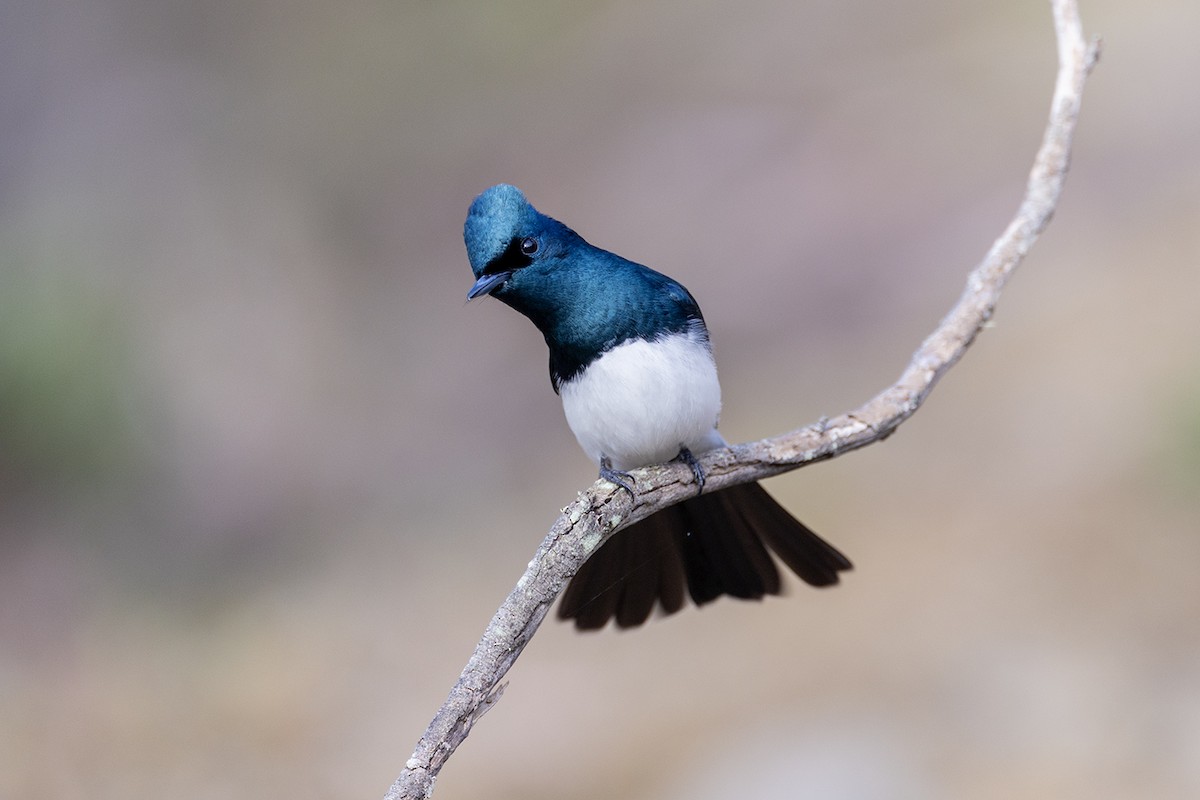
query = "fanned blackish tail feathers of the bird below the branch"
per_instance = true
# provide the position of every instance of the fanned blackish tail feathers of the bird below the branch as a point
(716, 545)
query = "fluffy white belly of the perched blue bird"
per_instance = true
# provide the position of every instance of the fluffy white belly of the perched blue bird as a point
(640, 404)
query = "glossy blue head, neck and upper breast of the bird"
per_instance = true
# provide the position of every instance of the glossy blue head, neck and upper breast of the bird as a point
(585, 300)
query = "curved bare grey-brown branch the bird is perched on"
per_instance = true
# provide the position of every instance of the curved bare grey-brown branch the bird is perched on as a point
(603, 510)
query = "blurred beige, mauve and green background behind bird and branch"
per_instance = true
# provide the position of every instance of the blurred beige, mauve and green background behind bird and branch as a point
(265, 476)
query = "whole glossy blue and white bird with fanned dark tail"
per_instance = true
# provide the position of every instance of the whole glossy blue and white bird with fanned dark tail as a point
(632, 360)
